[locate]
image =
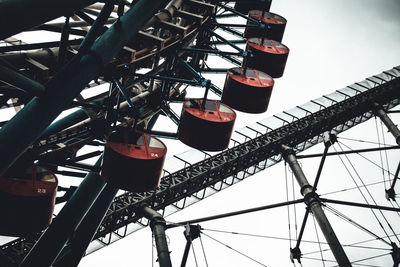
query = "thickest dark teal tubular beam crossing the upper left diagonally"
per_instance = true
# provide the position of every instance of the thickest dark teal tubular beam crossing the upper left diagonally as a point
(67, 84)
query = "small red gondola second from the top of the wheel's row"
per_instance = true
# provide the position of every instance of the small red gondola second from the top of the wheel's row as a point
(275, 26)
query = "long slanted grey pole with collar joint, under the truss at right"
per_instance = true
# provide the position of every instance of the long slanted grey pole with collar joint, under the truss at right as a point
(312, 202)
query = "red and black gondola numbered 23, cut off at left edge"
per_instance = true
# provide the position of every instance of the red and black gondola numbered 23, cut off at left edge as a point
(27, 201)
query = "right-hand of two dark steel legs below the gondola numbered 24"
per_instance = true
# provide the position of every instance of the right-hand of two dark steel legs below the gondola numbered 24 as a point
(83, 235)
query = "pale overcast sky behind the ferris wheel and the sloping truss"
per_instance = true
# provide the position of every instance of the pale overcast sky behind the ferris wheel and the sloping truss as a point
(332, 44)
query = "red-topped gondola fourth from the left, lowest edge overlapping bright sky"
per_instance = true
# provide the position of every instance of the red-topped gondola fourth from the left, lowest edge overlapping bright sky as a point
(248, 93)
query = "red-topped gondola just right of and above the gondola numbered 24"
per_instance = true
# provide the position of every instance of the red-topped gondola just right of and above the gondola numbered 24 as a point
(206, 124)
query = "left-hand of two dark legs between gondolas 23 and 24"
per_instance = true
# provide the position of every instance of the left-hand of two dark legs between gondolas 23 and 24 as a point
(54, 238)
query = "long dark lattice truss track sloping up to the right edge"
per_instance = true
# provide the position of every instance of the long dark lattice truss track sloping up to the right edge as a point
(224, 169)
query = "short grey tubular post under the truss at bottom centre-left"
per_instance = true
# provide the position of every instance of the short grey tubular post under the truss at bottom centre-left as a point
(157, 224)
